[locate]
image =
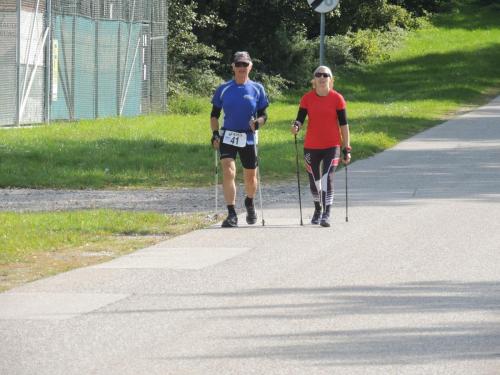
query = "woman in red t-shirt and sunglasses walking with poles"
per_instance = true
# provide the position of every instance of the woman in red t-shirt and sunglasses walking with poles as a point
(327, 130)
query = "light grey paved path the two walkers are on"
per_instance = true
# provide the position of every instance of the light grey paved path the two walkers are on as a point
(410, 285)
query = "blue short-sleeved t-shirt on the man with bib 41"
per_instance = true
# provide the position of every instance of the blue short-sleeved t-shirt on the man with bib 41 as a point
(240, 103)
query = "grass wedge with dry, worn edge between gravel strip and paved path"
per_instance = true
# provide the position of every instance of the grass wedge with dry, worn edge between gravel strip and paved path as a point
(35, 245)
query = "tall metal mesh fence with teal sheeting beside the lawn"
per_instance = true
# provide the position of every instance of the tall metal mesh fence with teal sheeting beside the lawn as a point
(78, 59)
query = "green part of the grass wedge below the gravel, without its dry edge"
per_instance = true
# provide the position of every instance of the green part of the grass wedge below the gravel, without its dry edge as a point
(27, 233)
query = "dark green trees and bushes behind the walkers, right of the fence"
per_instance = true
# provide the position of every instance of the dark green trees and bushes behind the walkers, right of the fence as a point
(281, 36)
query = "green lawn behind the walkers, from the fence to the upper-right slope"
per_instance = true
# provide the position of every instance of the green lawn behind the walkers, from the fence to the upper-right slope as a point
(447, 66)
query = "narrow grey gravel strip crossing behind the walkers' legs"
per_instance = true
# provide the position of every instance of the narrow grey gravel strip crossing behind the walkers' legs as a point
(161, 200)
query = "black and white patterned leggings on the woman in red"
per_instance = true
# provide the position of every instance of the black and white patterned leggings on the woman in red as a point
(321, 165)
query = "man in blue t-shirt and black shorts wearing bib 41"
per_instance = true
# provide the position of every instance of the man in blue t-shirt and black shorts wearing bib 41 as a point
(244, 103)
